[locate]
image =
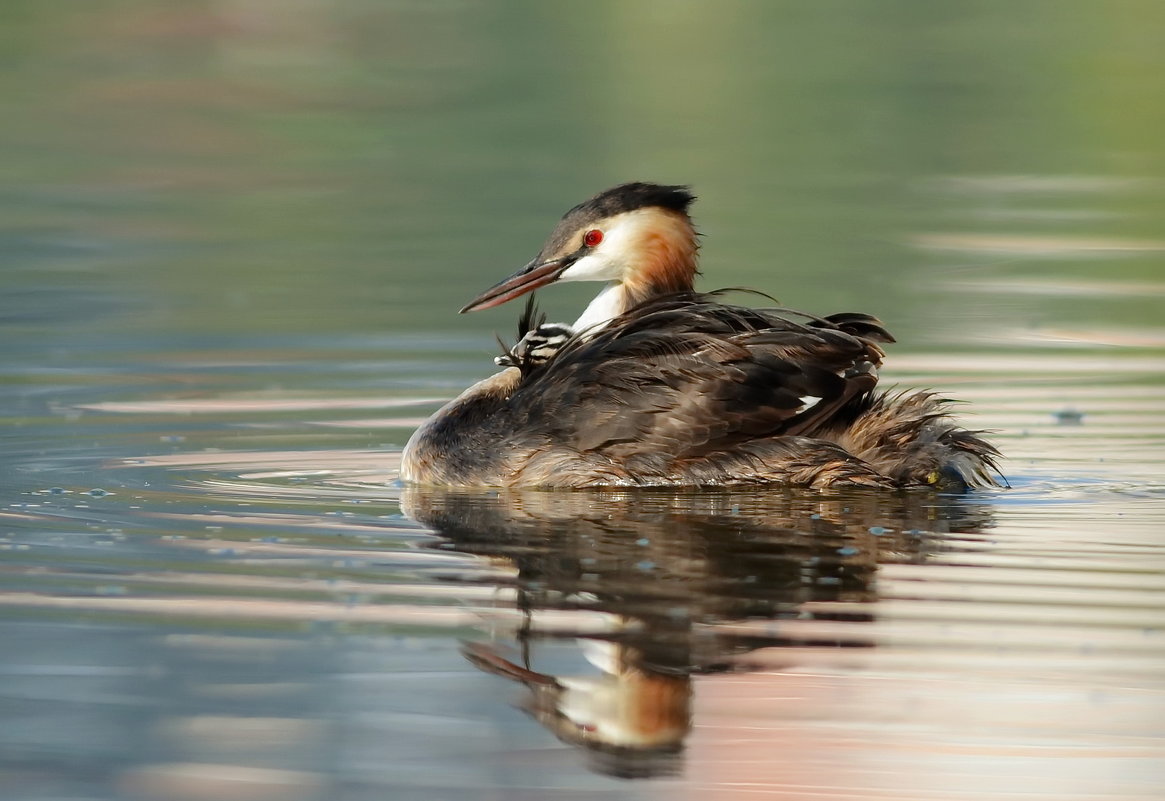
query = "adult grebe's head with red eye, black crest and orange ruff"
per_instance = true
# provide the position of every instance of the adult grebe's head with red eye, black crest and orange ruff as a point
(637, 237)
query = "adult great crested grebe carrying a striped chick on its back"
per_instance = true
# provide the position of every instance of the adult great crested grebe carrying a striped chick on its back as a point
(659, 386)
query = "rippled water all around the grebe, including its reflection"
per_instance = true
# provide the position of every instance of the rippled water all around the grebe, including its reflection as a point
(234, 237)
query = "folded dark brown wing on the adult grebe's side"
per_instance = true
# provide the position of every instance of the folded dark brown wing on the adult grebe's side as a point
(683, 377)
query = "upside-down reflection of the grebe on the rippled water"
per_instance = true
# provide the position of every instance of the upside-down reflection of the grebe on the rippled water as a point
(687, 583)
